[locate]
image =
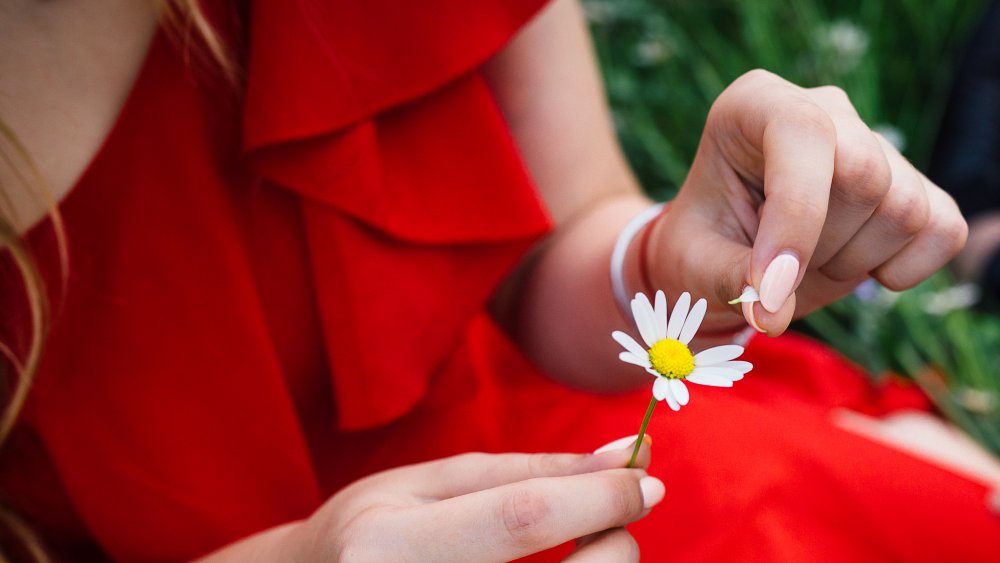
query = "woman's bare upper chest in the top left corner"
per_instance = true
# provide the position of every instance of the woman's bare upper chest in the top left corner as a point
(65, 71)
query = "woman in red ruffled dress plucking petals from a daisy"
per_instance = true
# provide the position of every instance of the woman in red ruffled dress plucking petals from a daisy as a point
(272, 298)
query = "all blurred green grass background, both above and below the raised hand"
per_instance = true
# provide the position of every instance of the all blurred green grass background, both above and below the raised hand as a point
(664, 61)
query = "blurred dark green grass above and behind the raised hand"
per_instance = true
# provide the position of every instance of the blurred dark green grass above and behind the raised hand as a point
(665, 61)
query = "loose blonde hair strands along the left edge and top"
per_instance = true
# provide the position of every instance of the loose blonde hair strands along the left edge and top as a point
(186, 24)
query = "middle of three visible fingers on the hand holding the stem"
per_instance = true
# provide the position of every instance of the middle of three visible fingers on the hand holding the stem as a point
(515, 520)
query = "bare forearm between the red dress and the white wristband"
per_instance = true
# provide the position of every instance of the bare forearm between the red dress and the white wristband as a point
(559, 306)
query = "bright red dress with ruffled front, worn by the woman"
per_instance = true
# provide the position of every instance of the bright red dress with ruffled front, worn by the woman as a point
(273, 296)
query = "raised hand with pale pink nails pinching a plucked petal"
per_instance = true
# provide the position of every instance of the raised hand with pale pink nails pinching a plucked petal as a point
(791, 193)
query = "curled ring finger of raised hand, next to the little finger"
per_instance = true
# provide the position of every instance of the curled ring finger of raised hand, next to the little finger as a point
(902, 213)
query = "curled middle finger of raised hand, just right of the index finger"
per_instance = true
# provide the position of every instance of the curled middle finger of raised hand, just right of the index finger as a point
(862, 174)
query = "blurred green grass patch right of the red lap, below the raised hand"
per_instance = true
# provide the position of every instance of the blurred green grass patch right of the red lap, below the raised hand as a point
(938, 334)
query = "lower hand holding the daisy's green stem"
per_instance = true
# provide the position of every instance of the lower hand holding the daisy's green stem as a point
(480, 507)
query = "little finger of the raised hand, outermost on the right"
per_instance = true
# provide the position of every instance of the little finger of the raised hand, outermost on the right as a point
(931, 248)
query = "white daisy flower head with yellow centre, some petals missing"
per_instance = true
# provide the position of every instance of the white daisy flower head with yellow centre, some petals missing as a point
(666, 355)
